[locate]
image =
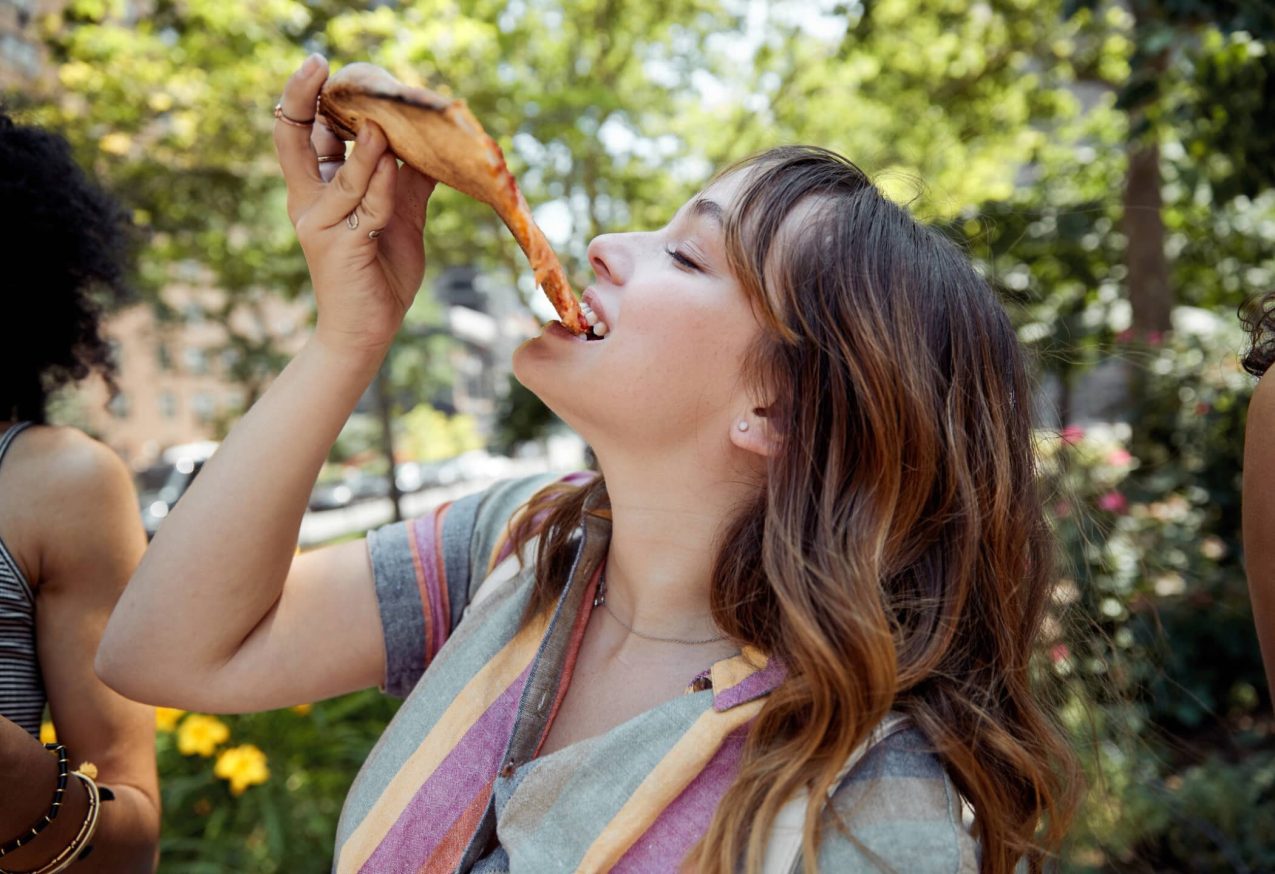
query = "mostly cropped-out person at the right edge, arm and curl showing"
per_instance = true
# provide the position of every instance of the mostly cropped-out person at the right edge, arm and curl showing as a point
(1259, 320)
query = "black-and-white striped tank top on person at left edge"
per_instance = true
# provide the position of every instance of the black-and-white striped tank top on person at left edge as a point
(22, 691)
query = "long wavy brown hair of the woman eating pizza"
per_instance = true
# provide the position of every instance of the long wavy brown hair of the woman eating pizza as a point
(897, 556)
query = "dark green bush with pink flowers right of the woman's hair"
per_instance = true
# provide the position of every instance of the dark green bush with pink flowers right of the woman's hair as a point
(1161, 656)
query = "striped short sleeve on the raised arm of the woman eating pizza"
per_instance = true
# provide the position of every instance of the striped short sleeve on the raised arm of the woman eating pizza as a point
(425, 571)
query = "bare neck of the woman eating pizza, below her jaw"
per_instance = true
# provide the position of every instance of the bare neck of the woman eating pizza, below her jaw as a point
(667, 519)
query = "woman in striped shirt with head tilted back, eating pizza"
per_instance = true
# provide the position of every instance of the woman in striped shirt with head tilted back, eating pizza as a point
(789, 627)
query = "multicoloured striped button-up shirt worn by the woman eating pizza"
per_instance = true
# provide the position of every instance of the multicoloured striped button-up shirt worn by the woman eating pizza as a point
(456, 784)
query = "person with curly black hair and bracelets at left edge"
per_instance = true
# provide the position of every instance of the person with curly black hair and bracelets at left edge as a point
(71, 534)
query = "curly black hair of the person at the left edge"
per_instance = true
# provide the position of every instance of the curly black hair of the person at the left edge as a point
(64, 248)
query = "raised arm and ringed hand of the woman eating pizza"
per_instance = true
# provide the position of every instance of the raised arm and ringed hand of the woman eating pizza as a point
(221, 617)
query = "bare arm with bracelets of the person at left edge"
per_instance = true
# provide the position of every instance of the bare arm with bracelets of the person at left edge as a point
(91, 540)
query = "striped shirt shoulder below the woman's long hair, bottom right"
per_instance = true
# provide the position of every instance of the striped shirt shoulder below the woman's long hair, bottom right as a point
(901, 807)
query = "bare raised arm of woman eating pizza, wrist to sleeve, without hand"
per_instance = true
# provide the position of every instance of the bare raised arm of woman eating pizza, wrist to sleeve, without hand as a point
(220, 617)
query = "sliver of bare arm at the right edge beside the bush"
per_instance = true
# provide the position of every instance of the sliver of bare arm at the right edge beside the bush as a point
(1259, 508)
